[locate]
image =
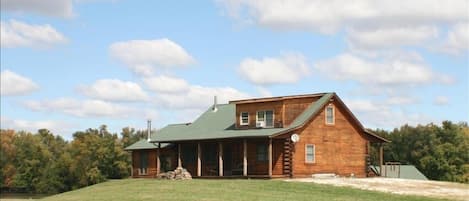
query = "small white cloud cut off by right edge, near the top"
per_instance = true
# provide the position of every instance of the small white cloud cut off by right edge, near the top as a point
(458, 39)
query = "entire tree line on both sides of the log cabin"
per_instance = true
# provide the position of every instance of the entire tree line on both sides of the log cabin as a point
(46, 163)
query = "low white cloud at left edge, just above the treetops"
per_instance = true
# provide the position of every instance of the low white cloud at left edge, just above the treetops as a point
(56, 127)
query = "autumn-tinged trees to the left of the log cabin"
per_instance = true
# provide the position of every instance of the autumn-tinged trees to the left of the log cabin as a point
(46, 163)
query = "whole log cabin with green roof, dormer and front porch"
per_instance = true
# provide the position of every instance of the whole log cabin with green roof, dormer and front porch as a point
(253, 138)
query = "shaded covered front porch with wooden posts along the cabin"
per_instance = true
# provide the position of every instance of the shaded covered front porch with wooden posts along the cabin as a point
(250, 157)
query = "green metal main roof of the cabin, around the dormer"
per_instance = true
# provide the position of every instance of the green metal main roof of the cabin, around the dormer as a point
(221, 125)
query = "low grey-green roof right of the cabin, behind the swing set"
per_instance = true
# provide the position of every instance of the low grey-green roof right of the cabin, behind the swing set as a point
(402, 171)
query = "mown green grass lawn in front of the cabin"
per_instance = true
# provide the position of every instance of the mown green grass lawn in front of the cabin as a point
(200, 189)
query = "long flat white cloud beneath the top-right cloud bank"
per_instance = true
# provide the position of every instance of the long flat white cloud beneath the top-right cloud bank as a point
(388, 37)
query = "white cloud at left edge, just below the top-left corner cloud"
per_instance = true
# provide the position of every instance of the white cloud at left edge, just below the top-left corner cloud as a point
(19, 34)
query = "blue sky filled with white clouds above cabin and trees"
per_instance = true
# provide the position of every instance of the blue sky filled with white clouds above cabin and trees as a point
(69, 65)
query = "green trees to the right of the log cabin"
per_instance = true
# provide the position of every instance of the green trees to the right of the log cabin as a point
(439, 152)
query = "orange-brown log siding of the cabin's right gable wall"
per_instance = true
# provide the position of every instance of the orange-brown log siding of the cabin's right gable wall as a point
(339, 148)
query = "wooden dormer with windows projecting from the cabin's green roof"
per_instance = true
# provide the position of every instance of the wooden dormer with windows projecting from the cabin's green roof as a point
(273, 112)
